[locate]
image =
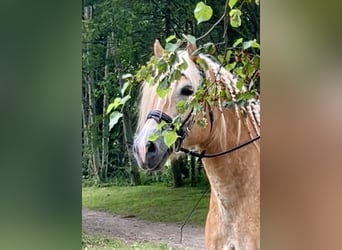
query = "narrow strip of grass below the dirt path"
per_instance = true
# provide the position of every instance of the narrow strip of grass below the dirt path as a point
(95, 243)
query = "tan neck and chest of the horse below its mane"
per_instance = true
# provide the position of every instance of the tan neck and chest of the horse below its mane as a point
(235, 186)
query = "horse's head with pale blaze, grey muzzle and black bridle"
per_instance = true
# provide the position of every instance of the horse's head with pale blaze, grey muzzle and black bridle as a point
(154, 110)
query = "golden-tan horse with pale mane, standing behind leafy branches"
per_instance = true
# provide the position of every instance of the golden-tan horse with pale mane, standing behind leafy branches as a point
(233, 219)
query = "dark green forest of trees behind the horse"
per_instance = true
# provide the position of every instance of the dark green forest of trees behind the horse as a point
(117, 39)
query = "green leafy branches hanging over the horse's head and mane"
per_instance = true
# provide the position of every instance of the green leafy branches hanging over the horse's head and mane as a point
(242, 59)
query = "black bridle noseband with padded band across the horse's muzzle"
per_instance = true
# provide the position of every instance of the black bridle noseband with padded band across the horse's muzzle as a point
(182, 132)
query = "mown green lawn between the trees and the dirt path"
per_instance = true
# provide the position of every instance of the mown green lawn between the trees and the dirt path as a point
(153, 203)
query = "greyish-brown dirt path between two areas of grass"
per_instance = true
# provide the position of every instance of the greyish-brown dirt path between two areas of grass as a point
(133, 229)
